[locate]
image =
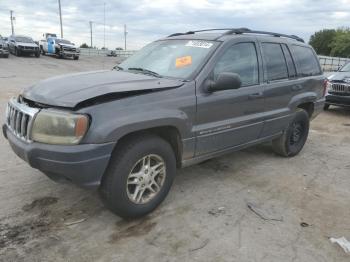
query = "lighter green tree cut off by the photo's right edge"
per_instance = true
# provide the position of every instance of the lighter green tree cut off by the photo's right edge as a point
(341, 43)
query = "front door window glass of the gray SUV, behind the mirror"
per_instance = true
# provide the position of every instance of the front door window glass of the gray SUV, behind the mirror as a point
(240, 59)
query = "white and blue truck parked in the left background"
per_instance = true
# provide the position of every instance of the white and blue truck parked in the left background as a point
(59, 47)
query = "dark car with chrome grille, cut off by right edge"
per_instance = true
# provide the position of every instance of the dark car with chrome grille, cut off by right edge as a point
(338, 88)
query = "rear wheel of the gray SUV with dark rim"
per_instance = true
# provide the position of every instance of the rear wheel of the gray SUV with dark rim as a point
(293, 139)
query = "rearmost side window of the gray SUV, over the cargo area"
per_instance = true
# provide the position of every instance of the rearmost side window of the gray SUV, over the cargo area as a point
(306, 61)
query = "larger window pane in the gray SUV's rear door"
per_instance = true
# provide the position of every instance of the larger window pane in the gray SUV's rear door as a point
(275, 64)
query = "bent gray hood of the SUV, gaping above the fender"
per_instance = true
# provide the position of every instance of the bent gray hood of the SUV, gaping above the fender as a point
(70, 90)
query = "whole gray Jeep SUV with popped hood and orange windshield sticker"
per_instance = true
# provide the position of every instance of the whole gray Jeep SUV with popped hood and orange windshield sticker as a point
(178, 101)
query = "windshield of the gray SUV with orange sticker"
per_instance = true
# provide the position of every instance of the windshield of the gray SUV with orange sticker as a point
(169, 58)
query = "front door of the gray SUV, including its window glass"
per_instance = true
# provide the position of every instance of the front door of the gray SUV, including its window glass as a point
(230, 118)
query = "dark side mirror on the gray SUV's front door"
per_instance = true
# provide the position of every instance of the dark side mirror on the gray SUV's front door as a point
(224, 81)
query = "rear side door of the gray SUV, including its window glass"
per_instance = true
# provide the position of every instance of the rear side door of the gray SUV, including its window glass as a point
(280, 84)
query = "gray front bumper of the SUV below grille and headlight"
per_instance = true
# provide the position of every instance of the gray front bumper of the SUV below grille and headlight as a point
(82, 164)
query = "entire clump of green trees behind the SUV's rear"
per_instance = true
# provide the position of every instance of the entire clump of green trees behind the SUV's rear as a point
(332, 42)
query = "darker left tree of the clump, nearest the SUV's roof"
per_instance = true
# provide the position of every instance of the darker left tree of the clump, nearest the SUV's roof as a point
(322, 40)
